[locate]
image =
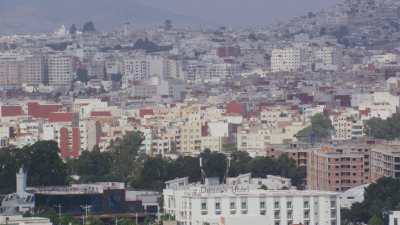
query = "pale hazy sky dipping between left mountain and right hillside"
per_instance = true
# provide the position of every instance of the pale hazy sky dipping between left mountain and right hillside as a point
(241, 12)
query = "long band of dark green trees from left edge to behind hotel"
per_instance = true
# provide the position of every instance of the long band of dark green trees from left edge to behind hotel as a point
(125, 163)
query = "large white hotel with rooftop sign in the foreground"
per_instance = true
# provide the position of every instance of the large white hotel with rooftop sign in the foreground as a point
(241, 202)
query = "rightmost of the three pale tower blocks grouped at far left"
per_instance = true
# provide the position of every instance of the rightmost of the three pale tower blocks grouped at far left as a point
(59, 70)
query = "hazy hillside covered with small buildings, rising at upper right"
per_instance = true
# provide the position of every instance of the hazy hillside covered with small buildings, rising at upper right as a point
(352, 22)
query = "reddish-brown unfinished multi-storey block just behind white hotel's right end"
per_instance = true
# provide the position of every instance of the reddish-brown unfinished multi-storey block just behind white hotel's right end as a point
(338, 168)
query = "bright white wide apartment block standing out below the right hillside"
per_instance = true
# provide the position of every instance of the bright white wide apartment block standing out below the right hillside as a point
(288, 59)
